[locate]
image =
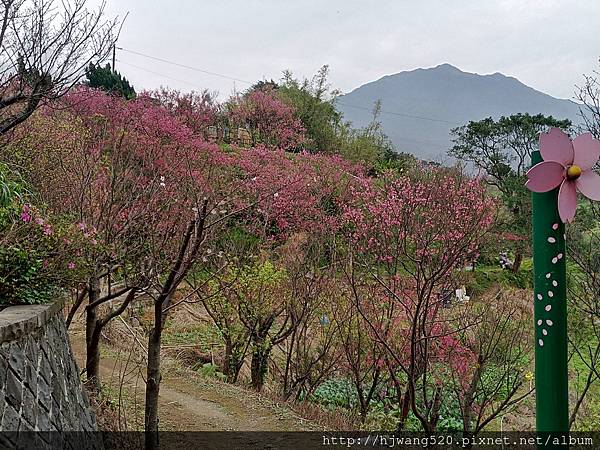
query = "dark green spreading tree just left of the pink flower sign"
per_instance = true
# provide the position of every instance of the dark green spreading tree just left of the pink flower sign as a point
(502, 149)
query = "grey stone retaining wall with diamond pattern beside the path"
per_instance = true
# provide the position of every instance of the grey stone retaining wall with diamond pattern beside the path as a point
(40, 388)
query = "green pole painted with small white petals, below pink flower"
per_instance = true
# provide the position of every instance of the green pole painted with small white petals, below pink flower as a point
(550, 313)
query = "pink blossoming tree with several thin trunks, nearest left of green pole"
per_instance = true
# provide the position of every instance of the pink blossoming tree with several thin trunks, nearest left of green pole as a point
(409, 236)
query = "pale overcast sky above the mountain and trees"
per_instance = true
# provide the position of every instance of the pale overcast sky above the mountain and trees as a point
(547, 44)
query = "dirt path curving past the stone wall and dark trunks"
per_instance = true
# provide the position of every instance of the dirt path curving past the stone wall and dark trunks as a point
(187, 400)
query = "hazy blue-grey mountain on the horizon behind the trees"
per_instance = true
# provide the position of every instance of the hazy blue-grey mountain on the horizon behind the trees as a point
(420, 107)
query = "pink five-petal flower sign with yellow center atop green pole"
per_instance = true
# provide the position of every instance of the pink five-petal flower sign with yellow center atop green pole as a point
(568, 164)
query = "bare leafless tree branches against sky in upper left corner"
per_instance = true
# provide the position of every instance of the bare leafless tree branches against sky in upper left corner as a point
(46, 46)
